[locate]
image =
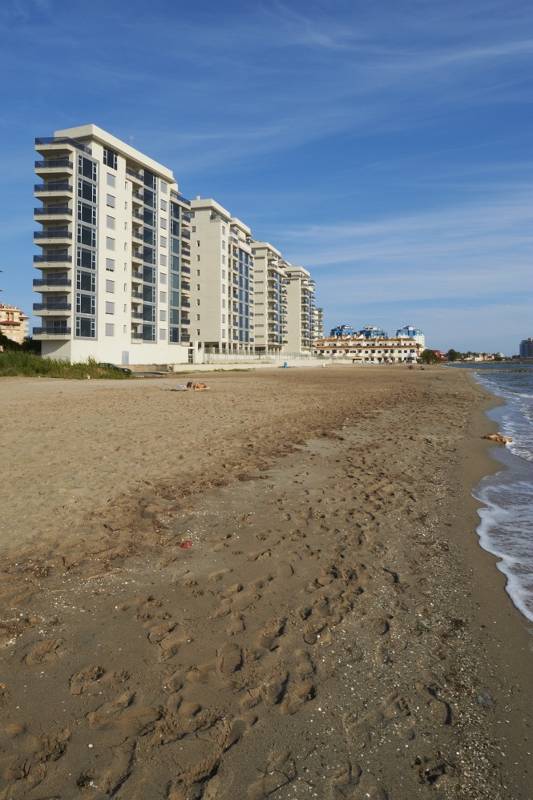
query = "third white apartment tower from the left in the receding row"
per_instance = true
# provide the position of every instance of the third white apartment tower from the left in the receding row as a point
(270, 298)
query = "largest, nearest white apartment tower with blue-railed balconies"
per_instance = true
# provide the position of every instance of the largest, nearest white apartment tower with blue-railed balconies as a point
(115, 252)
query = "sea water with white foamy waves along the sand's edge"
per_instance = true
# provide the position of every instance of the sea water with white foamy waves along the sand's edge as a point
(506, 516)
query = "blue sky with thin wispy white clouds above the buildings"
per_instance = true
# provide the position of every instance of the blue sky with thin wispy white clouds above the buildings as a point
(386, 146)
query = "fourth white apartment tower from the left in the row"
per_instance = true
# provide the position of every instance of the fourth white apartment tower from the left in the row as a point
(300, 310)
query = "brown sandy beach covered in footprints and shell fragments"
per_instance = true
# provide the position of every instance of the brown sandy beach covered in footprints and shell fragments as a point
(270, 589)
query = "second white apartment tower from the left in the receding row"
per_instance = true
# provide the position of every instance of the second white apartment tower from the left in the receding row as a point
(221, 281)
